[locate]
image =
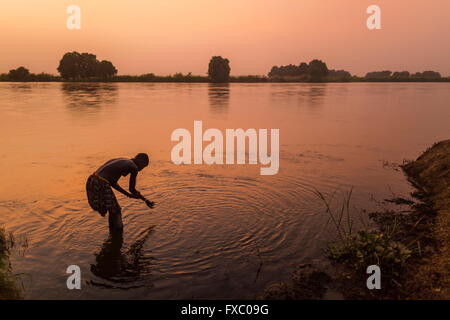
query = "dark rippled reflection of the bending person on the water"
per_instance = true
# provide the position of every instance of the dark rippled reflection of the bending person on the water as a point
(121, 267)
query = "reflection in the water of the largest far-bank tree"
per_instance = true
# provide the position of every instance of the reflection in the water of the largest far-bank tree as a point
(82, 95)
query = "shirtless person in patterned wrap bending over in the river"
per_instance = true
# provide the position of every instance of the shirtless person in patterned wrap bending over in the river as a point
(100, 196)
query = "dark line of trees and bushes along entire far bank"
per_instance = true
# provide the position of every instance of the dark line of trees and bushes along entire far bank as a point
(76, 66)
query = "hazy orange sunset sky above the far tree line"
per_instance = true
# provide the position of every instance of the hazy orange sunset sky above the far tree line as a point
(168, 36)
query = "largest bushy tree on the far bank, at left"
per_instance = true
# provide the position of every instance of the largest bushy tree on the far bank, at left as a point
(74, 65)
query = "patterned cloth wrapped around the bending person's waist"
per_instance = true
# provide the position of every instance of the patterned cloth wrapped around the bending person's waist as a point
(100, 196)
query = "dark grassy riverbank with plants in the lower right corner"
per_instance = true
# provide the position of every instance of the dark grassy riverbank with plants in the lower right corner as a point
(411, 244)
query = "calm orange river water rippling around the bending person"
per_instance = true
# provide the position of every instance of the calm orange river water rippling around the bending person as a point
(217, 231)
